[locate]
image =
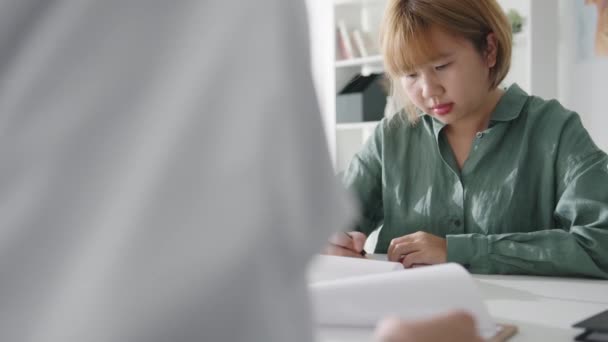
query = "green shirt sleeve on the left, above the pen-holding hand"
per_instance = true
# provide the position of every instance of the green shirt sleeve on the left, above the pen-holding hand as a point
(363, 177)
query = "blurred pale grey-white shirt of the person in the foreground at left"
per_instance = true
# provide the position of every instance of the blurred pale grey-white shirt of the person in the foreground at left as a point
(163, 171)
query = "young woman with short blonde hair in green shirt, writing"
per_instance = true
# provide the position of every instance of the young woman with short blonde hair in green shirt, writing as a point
(468, 172)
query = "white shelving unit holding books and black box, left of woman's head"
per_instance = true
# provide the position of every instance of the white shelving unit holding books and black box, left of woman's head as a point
(332, 73)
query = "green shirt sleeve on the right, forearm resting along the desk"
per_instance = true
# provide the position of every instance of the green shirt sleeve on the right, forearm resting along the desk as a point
(576, 246)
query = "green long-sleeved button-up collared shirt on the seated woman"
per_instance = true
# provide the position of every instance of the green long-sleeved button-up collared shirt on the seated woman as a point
(532, 197)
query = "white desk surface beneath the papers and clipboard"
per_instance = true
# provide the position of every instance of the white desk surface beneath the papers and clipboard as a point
(543, 309)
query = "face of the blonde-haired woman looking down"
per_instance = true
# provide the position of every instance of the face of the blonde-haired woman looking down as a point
(454, 85)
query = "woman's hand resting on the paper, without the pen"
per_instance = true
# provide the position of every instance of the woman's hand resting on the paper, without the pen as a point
(418, 249)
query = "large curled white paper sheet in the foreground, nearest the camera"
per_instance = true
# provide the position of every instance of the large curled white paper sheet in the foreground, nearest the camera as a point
(361, 301)
